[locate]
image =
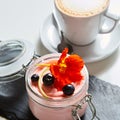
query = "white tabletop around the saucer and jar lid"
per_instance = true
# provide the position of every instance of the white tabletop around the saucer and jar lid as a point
(22, 19)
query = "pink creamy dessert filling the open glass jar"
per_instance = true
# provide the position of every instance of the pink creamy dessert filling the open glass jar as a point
(58, 106)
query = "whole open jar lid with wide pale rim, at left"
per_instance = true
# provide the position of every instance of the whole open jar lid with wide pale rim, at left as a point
(13, 55)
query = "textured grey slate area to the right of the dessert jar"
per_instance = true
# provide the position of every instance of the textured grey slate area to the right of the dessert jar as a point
(106, 98)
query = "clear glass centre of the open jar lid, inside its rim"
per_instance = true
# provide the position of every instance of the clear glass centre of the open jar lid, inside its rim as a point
(10, 51)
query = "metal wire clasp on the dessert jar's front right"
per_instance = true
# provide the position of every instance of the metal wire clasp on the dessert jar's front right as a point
(88, 99)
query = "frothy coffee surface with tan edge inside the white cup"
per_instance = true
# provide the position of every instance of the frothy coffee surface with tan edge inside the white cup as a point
(81, 8)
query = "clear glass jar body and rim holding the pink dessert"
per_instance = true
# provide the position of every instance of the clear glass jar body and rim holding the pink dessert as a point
(67, 108)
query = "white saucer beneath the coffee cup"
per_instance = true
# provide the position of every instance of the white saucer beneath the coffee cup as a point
(102, 47)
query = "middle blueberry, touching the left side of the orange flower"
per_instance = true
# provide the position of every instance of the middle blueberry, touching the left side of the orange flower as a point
(48, 79)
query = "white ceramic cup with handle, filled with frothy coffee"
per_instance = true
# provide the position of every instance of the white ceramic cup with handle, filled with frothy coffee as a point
(82, 20)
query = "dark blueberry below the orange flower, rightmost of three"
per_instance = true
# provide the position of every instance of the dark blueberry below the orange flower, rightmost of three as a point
(68, 89)
